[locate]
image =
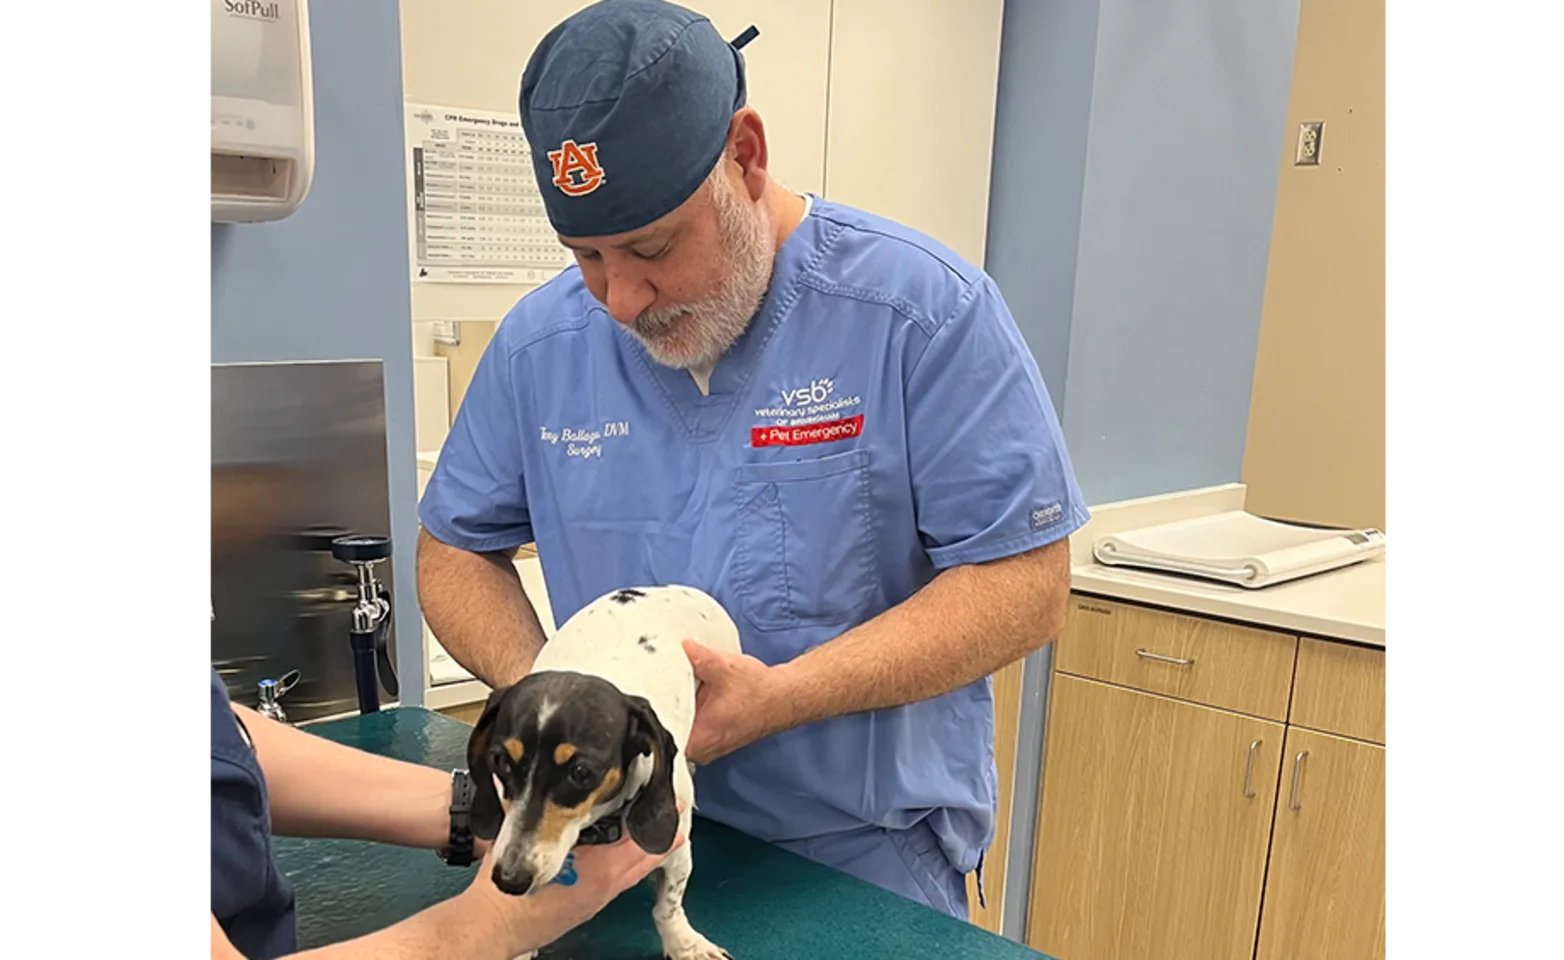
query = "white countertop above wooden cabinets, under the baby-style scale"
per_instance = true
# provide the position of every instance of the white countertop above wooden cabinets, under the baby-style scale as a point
(1351, 604)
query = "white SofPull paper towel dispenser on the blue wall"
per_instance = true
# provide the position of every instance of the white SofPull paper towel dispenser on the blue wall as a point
(260, 110)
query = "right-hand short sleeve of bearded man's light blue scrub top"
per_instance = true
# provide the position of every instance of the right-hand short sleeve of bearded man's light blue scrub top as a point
(991, 473)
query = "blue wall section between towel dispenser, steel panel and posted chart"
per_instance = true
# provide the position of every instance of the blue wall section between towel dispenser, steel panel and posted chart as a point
(331, 282)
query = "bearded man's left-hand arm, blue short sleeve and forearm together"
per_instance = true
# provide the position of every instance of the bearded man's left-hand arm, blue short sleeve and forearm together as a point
(475, 515)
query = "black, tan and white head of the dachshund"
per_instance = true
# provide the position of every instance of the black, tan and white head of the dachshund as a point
(553, 753)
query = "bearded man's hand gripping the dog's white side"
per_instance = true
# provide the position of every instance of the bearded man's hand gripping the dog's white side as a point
(739, 703)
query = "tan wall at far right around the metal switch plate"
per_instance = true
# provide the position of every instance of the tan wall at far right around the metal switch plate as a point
(1319, 437)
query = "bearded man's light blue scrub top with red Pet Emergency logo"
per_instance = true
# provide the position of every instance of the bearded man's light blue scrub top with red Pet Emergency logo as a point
(880, 421)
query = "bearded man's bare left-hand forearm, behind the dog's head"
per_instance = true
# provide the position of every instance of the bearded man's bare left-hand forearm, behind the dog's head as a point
(476, 606)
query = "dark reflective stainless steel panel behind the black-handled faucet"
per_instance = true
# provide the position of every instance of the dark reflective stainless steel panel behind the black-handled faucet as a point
(296, 460)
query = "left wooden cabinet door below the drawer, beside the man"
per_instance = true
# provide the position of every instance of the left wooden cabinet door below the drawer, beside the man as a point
(1158, 817)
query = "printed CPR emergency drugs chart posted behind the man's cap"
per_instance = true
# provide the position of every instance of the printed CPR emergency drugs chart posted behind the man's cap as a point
(476, 212)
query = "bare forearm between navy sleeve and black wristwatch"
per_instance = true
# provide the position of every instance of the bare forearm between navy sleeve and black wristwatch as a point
(323, 789)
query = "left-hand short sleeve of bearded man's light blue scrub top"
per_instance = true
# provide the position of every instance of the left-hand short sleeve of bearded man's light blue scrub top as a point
(478, 495)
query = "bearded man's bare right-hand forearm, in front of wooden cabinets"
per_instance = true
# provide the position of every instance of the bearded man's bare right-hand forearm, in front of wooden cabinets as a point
(966, 625)
